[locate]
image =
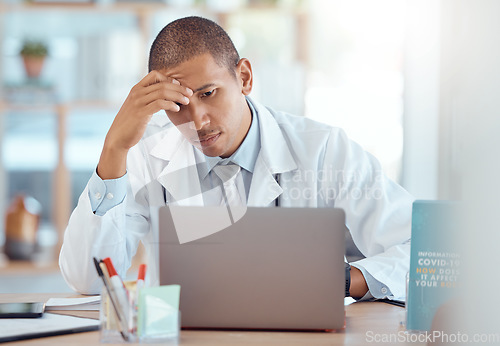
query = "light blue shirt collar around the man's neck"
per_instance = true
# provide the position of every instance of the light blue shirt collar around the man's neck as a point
(246, 154)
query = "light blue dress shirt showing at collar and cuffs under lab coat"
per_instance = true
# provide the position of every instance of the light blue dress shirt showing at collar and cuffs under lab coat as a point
(106, 194)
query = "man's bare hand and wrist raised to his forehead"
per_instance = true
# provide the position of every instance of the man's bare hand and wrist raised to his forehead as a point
(152, 94)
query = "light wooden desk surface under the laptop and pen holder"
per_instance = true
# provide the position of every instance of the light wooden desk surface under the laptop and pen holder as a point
(366, 323)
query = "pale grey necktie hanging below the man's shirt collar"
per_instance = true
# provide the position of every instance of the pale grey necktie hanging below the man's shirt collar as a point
(234, 189)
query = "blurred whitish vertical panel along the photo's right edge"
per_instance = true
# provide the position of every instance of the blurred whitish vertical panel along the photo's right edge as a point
(471, 105)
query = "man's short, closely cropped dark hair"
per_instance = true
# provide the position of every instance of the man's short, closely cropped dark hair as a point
(189, 37)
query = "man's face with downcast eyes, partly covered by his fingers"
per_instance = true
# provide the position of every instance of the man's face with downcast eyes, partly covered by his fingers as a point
(217, 118)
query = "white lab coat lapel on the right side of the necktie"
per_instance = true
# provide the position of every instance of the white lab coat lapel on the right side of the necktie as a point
(274, 158)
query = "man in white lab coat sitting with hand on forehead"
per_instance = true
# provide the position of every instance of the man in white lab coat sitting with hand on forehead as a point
(197, 77)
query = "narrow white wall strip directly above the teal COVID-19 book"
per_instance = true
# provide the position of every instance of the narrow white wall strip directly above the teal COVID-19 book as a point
(421, 98)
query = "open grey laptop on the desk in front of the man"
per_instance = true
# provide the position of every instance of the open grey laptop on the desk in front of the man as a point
(275, 268)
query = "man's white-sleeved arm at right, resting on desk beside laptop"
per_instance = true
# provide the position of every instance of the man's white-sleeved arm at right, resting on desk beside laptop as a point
(378, 215)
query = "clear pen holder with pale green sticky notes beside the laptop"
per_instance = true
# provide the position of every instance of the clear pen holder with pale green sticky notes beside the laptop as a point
(149, 319)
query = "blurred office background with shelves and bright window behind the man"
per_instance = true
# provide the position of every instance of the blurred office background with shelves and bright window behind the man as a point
(387, 71)
